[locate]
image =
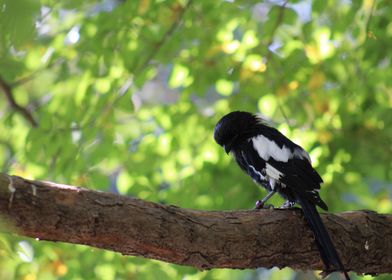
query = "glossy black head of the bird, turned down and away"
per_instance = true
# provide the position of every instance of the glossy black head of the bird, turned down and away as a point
(235, 127)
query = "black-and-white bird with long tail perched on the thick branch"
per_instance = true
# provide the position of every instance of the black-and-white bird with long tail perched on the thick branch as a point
(280, 166)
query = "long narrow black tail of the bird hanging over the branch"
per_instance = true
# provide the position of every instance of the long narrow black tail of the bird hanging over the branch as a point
(327, 250)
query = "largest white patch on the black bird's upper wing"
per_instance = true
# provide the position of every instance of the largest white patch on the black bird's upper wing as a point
(267, 148)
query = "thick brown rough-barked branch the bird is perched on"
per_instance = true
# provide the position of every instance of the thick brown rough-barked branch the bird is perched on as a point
(203, 239)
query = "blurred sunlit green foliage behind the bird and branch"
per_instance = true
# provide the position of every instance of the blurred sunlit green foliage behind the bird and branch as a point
(125, 95)
